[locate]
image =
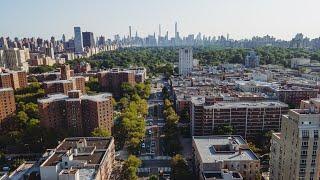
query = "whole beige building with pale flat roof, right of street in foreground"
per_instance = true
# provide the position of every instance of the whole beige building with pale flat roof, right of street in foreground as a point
(213, 155)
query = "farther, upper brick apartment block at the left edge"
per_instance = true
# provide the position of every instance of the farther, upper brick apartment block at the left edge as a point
(13, 79)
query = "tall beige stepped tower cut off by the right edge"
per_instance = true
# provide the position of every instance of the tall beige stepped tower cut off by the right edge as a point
(295, 151)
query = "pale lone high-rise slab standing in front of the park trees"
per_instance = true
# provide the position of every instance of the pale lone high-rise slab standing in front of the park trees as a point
(185, 61)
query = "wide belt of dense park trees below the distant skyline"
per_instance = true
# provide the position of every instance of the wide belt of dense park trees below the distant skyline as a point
(160, 60)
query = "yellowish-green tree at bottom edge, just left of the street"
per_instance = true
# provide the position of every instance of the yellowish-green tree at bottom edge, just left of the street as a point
(130, 167)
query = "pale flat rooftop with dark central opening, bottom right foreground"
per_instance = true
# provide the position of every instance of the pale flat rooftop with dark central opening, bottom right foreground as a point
(215, 148)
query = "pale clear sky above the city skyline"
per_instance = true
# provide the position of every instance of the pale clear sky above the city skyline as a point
(240, 18)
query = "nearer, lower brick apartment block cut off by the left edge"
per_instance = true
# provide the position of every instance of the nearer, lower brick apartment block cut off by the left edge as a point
(7, 104)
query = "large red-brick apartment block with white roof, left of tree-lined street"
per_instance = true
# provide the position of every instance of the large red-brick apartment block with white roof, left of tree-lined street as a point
(77, 113)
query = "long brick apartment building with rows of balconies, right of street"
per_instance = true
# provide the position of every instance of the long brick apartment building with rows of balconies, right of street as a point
(247, 118)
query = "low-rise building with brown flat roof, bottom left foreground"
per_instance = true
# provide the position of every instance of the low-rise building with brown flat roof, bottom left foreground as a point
(80, 158)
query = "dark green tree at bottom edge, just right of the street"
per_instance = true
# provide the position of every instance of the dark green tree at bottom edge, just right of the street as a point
(180, 169)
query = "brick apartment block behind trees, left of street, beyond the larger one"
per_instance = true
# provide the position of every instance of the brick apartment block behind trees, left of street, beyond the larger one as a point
(112, 80)
